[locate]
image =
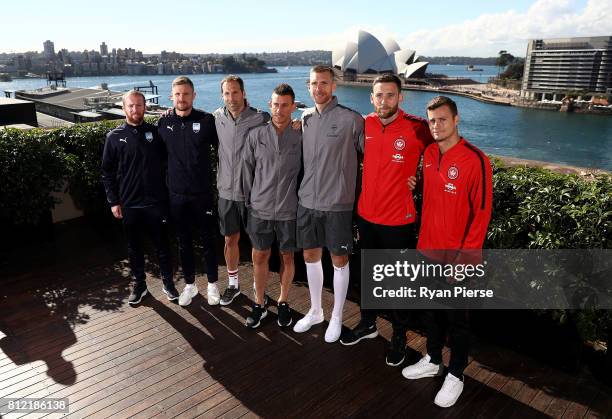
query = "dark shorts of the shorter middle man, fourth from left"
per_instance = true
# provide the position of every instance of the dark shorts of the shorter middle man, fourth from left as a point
(263, 232)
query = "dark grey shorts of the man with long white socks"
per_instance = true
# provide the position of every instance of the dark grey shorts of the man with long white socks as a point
(331, 229)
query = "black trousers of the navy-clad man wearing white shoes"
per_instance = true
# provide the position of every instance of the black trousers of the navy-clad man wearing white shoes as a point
(195, 213)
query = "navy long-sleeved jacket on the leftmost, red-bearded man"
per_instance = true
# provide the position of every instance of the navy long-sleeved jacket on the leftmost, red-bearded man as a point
(134, 166)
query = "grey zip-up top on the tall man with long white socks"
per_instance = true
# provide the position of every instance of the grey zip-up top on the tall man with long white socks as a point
(331, 140)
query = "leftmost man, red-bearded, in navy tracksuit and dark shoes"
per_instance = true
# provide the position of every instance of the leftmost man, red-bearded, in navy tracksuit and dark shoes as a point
(134, 178)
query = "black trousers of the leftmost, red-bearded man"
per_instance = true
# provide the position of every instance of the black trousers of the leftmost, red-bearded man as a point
(151, 221)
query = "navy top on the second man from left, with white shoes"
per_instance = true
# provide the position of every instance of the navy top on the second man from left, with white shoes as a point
(188, 141)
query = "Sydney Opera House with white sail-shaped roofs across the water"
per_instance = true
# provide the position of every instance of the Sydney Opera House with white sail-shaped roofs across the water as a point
(369, 57)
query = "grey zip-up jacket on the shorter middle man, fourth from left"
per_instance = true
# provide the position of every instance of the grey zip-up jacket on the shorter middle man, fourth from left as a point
(271, 168)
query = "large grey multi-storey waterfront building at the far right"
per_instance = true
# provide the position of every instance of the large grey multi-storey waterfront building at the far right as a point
(554, 67)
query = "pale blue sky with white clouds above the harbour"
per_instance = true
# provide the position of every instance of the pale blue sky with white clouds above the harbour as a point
(475, 28)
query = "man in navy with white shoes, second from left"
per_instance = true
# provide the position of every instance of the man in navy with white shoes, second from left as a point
(190, 135)
